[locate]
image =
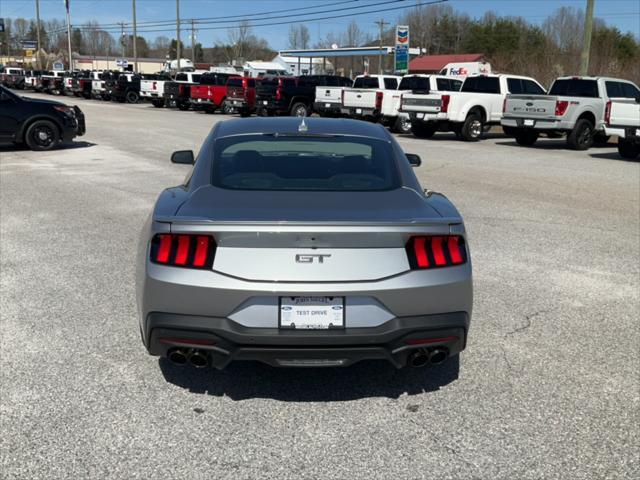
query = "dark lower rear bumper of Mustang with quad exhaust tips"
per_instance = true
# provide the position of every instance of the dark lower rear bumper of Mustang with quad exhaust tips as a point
(223, 340)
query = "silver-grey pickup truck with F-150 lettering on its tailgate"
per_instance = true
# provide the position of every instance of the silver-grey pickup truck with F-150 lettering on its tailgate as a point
(575, 106)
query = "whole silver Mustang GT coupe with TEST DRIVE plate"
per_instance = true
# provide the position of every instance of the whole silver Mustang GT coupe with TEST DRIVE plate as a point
(303, 243)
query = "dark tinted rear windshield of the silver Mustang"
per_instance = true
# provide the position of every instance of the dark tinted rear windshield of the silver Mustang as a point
(283, 163)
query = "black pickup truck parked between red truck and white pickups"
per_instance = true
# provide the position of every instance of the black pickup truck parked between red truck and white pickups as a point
(293, 96)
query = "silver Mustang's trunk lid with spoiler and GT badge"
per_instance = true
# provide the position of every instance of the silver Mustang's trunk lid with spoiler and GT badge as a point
(309, 236)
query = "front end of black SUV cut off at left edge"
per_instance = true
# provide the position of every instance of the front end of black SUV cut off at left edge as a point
(40, 124)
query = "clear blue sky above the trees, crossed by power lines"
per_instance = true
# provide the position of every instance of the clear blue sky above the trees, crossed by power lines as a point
(625, 14)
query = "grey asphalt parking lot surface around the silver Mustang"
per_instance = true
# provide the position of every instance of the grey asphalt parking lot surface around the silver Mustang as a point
(547, 388)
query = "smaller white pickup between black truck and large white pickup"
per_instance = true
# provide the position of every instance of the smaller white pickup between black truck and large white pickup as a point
(376, 98)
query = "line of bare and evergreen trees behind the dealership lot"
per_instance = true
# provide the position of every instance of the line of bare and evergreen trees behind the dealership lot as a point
(511, 44)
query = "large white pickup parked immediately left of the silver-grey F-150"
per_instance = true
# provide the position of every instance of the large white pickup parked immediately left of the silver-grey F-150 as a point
(468, 112)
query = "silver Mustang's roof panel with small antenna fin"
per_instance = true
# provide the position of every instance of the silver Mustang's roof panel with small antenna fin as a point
(291, 125)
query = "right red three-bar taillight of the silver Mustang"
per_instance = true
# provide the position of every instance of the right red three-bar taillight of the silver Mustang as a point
(436, 251)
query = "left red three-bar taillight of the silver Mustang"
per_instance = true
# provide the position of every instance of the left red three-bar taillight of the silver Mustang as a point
(189, 251)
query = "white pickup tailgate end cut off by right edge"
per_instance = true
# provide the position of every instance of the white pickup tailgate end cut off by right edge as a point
(622, 118)
